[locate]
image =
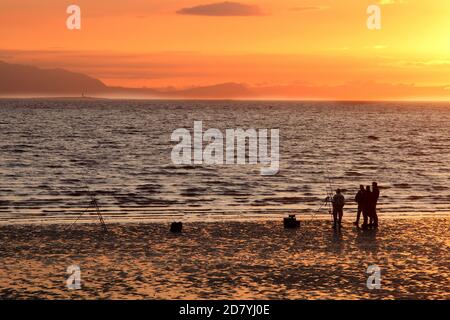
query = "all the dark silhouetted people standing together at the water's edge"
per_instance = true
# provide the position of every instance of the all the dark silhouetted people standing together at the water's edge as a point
(367, 200)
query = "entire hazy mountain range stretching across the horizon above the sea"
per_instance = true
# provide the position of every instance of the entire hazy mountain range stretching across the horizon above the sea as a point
(18, 80)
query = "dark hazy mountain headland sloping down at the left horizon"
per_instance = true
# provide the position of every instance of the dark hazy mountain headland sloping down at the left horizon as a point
(22, 79)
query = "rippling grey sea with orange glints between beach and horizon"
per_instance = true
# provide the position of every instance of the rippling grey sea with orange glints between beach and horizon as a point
(56, 155)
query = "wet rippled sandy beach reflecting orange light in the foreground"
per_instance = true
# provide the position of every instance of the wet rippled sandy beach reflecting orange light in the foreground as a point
(227, 260)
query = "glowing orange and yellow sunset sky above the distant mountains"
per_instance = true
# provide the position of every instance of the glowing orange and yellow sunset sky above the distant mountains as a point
(182, 44)
